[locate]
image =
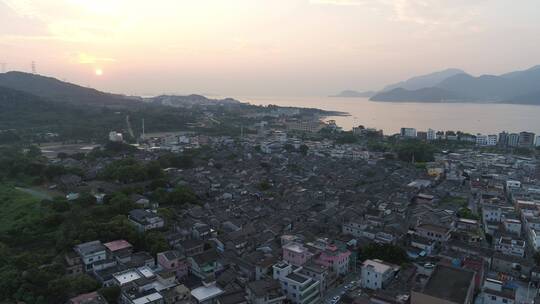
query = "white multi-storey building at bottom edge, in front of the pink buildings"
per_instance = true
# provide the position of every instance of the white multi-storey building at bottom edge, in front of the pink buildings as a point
(297, 287)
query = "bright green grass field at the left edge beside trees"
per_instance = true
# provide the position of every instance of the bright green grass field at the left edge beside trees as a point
(16, 208)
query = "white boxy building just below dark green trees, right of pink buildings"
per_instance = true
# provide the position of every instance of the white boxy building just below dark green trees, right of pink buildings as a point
(376, 274)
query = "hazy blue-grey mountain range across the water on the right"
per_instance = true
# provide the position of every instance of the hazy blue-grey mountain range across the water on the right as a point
(514, 87)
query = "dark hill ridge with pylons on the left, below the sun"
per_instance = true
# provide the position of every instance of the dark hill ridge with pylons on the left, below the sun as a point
(55, 90)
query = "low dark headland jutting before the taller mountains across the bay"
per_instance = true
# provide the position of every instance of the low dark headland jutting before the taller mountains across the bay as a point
(420, 95)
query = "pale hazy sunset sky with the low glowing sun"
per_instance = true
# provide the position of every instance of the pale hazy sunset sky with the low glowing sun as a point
(264, 47)
